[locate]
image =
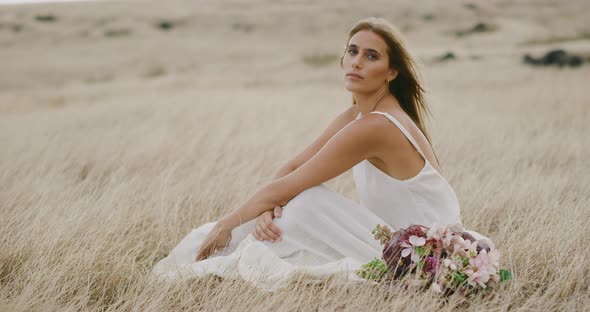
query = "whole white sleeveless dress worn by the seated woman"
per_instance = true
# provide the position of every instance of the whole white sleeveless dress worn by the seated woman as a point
(323, 232)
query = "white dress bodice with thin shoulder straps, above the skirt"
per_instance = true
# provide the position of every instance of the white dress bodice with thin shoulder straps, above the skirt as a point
(424, 199)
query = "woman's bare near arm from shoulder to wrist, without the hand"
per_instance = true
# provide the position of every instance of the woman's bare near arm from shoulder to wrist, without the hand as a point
(354, 143)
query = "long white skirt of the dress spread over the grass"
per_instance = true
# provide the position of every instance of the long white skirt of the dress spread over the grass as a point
(323, 234)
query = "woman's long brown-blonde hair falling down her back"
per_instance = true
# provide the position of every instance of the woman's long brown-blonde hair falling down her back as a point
(405, 87)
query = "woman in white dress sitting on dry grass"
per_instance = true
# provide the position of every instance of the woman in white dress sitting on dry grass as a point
(381, 137)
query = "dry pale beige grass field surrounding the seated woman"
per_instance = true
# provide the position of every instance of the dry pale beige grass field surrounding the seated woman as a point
(100, 179)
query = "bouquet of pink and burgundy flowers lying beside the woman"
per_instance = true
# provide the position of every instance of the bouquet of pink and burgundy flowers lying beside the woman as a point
(447, 259)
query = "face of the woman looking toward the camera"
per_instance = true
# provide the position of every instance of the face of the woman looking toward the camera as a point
(366, 63)
